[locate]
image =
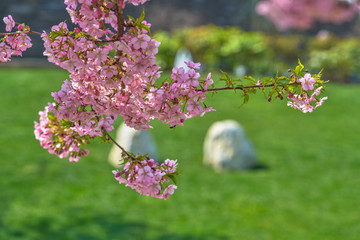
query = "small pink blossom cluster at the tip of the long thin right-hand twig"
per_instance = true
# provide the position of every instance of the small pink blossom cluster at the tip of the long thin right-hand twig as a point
(303, 101)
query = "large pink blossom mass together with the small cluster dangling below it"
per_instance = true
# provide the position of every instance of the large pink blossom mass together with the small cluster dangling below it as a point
(113, 73)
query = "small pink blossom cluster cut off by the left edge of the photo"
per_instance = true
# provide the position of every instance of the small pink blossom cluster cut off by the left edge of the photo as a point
(13, 43)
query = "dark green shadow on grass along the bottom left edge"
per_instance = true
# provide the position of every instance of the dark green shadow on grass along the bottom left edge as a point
(105, 227)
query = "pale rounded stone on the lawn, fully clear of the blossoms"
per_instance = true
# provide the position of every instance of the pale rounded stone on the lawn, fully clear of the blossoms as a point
(226, 147)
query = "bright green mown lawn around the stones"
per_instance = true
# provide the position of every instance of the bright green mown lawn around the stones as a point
(310, 189)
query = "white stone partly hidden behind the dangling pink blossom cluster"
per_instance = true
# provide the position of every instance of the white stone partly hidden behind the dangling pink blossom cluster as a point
(134, 141)
